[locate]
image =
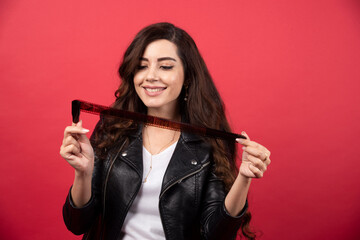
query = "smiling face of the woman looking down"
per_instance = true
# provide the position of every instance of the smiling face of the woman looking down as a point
(160, 77)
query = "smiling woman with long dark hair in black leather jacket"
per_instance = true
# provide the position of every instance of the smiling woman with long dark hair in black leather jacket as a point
(143, 182)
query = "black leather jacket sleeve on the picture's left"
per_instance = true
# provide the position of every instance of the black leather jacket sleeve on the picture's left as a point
(80, 219)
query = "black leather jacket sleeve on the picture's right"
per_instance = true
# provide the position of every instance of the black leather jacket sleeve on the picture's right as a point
(216, 222)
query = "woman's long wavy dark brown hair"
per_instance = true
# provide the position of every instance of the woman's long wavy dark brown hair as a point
(203, 107)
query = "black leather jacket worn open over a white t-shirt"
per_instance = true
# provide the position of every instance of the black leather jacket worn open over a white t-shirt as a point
(191, 201)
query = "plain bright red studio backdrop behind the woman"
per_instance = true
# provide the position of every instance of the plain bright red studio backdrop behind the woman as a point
(288, 72)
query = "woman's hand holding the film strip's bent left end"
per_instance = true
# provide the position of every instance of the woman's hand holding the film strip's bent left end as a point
(77, 150)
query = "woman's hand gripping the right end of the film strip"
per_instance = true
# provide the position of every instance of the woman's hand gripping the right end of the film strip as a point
(255, 158)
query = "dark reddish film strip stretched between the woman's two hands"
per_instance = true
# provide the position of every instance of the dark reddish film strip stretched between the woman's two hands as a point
(79, 105)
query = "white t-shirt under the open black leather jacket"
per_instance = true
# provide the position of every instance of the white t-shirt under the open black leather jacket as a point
(143, 219)
